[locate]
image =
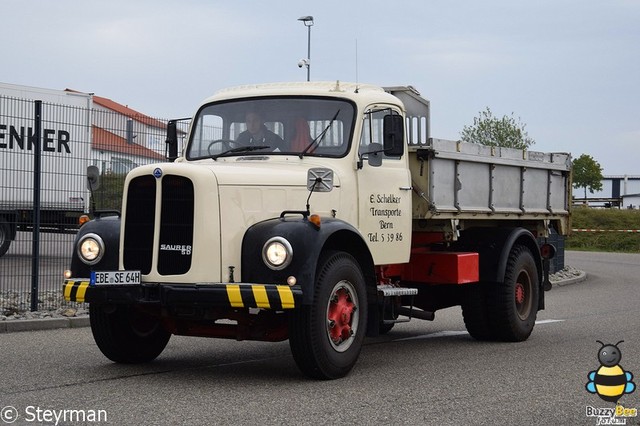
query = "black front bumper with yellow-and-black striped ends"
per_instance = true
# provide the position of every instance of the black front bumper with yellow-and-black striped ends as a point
(223, 295)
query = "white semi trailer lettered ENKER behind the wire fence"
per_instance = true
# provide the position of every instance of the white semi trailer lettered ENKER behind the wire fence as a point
(65, 148)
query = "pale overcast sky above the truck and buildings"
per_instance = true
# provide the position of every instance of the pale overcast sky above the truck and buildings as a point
(569, 69)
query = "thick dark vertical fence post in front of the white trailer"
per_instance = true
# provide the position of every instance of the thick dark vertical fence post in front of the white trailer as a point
(35, 258)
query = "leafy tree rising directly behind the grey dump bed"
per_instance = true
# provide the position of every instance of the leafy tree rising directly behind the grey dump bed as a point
(492, 131)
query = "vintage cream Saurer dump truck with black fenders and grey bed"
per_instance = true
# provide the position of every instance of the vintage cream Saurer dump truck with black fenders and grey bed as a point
(334, 217)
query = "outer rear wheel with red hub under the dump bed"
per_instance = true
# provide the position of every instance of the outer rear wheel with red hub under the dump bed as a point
(515, 302)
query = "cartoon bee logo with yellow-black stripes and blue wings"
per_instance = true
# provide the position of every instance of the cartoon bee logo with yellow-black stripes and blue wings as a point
(610, 381)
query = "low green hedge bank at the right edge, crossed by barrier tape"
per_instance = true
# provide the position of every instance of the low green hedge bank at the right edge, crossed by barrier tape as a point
(605, 219)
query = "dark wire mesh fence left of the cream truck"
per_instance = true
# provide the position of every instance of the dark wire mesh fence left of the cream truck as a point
(45, 149)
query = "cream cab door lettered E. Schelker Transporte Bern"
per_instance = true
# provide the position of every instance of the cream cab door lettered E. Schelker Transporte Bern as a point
(384, 187)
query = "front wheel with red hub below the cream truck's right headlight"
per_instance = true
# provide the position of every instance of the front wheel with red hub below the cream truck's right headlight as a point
(326, 337)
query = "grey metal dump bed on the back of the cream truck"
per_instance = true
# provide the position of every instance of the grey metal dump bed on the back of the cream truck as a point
(464, 180)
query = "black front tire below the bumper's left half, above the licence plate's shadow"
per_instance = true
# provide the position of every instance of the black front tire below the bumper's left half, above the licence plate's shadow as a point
(126, 335)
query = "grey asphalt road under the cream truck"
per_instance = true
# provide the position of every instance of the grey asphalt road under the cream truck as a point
(420, 373)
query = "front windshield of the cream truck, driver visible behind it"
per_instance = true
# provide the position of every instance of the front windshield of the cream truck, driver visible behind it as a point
(274, 126)
